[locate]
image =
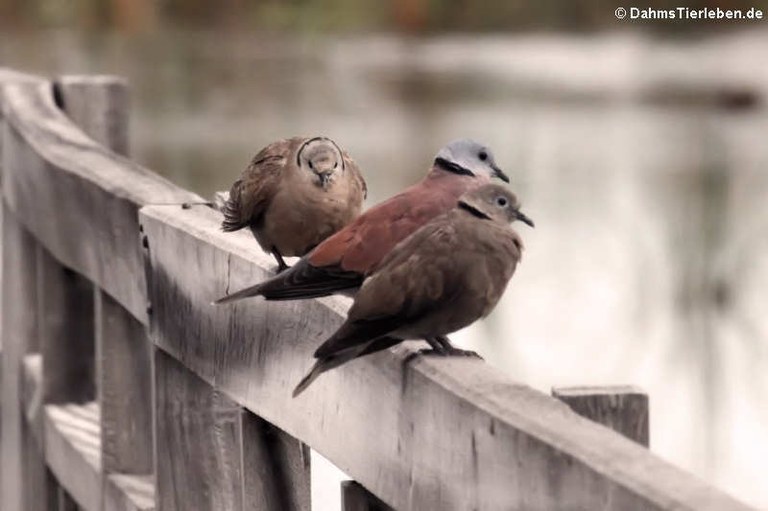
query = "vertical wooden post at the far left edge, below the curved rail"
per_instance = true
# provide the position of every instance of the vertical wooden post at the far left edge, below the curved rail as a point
(23, 468)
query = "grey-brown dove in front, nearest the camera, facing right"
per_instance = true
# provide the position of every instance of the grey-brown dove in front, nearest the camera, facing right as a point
(449, 273)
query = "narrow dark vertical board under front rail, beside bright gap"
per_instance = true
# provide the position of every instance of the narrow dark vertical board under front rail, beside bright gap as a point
(276, 468)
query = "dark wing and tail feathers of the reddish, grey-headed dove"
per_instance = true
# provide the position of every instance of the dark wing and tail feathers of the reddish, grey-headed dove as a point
(301, 281)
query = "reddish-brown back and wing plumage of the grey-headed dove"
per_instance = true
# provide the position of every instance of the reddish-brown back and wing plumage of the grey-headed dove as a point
(361, 245)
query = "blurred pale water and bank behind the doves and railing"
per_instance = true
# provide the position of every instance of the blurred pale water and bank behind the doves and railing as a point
(640, 150)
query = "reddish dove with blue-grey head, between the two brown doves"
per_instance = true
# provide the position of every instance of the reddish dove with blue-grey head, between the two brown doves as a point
(342, 261)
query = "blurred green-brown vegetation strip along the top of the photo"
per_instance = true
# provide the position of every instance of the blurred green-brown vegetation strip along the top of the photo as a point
(409, 16)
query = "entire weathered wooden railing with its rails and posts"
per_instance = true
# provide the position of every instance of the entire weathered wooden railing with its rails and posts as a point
(124, 389)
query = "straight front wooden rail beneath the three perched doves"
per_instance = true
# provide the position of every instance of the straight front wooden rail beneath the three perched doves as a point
(424, 433)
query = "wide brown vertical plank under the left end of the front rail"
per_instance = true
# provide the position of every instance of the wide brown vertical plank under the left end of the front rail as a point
(198, 442)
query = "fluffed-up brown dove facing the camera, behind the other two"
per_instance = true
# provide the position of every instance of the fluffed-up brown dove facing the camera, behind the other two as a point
(294, 194)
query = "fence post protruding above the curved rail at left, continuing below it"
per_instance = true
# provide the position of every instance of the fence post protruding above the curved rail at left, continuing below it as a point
(99, 106)
